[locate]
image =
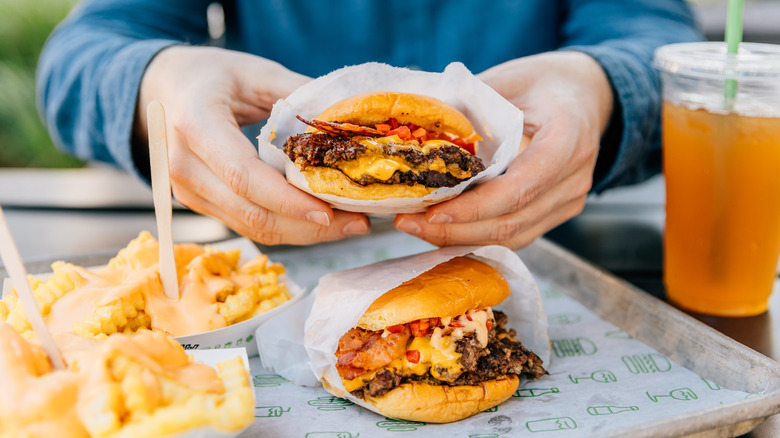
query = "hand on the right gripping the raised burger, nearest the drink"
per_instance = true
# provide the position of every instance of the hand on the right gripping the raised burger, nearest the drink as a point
(567, 101)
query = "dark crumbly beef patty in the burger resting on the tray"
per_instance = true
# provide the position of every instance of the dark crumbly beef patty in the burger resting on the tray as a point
(502, 356)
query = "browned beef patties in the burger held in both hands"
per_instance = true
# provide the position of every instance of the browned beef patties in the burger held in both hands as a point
(314, 149)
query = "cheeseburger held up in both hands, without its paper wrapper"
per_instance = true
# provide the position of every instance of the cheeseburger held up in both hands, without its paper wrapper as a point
(386, 144)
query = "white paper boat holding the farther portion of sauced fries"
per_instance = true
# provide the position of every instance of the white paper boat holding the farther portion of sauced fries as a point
(236, 335)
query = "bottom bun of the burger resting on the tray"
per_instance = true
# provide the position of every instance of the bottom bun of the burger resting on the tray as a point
(443, 404)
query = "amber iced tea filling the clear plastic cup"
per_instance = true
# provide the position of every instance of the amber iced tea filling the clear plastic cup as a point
(722, 236)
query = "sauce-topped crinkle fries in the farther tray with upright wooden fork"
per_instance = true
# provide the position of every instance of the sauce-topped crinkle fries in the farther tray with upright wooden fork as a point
(127, 295)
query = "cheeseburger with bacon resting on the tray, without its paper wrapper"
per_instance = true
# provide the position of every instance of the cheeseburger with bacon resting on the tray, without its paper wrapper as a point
(433, 349)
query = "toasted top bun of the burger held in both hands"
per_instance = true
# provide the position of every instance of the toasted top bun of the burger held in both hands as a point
(380, 106)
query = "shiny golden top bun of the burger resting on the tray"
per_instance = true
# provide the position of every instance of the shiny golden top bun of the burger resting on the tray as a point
(448, 290)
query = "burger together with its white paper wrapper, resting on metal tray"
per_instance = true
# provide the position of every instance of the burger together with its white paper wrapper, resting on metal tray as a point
(439, 345)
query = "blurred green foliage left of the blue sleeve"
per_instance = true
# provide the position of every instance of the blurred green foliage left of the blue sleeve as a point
(24, 27)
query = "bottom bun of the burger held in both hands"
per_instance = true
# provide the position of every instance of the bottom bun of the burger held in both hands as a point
(333, 182)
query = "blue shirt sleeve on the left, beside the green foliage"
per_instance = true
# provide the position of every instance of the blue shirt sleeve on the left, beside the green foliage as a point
(90, 70)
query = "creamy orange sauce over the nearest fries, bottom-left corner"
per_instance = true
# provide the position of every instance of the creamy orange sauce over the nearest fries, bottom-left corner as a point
(39, 402)
